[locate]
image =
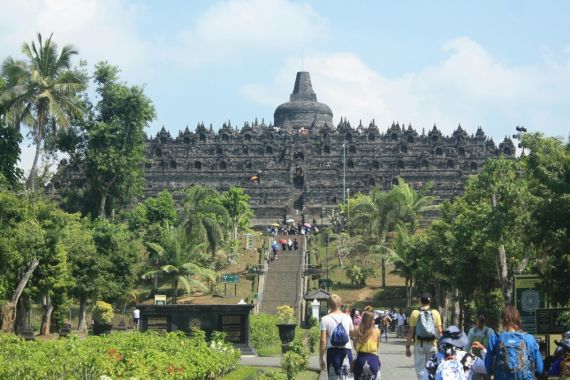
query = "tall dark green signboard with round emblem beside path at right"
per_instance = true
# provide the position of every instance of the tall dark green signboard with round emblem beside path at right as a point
(528, 299)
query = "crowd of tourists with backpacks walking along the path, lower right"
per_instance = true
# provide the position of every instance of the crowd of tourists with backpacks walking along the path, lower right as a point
(439, 353)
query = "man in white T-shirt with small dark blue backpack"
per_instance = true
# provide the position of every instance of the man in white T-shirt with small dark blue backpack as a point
(335, 342)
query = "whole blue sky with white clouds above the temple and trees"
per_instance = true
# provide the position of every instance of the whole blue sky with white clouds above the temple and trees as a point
(497, 64)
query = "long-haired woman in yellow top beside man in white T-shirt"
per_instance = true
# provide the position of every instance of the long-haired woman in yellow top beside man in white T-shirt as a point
(366, 343)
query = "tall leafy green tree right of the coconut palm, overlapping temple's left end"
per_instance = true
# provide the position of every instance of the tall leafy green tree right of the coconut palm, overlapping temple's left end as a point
(115, 140)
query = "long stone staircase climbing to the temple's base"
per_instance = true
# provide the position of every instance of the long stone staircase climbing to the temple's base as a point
(283, 279)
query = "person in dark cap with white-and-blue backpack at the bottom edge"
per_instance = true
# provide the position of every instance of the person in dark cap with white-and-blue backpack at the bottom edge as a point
(452, 361)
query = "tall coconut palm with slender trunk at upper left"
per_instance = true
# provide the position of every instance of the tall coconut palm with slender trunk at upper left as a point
(42, 91)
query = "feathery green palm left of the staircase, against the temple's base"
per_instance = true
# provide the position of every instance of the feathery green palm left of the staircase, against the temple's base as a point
(205, 219)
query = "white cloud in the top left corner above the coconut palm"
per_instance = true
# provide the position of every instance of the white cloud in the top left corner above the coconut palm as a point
(100, 29)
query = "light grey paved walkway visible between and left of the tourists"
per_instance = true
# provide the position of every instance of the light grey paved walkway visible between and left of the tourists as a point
(395, 364)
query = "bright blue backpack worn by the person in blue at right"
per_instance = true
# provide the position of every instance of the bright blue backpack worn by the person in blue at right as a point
(511, 357)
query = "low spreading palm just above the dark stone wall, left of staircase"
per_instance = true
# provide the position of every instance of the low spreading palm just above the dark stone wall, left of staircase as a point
(175, 262)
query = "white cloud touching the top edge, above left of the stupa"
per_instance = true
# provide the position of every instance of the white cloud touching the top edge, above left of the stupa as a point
(233, 29)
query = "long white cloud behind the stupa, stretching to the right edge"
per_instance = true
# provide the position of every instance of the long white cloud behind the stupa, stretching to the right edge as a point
(469, 86)
